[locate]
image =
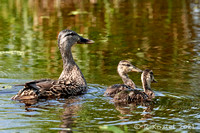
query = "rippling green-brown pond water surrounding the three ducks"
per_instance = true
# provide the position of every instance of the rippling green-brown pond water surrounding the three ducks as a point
(161, 35)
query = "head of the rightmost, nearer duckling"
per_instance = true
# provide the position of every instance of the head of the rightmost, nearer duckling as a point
(148, 76)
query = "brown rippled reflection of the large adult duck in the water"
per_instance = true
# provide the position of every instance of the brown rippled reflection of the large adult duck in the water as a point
(69, 107)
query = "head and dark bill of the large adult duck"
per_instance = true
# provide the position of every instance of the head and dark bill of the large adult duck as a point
(69, 38)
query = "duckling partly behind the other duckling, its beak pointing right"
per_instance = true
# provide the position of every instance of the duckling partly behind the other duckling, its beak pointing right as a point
(123, 68)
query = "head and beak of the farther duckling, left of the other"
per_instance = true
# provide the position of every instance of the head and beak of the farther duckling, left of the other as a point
(125, 66)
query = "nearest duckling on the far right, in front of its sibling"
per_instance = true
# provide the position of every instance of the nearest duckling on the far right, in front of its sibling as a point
(128, 96)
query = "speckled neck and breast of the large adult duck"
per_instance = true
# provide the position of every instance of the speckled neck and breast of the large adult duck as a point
(71, 71)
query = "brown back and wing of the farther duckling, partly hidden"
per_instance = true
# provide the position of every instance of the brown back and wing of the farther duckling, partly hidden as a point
(114, 89)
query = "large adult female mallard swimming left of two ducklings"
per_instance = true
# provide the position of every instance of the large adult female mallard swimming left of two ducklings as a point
(71, 80)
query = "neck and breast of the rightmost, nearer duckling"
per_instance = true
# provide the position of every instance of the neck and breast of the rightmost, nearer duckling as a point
(147, 88)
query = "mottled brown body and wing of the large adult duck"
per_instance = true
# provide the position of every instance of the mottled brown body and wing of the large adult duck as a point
(47, 88)
